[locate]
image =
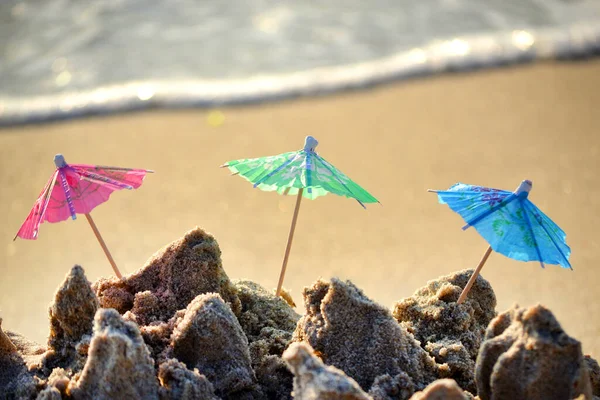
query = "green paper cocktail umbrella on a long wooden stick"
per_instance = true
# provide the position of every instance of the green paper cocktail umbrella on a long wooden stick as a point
(303, 173)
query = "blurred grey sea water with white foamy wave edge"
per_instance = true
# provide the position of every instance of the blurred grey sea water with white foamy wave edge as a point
(65, 57)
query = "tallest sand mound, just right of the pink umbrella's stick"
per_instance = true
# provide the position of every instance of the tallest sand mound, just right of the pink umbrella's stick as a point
(171, 278)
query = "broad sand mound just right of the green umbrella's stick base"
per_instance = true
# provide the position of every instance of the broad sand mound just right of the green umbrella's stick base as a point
(351, 332)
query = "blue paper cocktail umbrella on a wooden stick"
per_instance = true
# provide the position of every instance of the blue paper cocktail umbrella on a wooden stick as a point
(510, 223)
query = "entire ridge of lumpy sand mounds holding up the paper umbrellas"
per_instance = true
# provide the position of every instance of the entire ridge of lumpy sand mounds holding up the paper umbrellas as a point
(178, 328)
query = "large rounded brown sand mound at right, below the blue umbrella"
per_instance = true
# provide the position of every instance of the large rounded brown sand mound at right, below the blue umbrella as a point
(527, 355)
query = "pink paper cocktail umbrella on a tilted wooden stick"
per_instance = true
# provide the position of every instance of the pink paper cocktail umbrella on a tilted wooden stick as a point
(77, 189)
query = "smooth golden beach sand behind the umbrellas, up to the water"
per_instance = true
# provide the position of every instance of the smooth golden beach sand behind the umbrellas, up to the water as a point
(493, 128)
